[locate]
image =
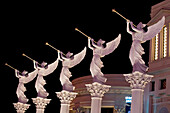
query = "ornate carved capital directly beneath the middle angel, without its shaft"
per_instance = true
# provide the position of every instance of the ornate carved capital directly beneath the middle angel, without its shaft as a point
(66, 97)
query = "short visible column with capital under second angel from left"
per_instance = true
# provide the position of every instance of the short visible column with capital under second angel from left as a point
(41, 104)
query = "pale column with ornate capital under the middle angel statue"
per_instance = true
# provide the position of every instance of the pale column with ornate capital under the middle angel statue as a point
(66, 98)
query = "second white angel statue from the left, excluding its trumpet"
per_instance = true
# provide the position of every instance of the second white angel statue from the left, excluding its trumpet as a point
(43, 70)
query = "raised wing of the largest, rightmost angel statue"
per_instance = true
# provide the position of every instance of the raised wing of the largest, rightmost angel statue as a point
(154, 29)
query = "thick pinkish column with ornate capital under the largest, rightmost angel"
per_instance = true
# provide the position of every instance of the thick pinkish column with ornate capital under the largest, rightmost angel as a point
(137, 82)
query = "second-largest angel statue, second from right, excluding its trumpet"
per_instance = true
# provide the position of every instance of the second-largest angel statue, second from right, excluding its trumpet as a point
(98, 52)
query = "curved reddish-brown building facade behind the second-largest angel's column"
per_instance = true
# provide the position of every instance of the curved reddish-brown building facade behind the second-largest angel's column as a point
(117, 100)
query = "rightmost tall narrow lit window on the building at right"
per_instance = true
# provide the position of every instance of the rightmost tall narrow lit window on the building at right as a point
(165, 41)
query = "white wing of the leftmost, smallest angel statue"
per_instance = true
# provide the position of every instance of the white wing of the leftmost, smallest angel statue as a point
(30, 77)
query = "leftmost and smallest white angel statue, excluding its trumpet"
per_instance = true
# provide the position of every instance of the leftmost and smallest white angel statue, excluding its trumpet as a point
(24, 78)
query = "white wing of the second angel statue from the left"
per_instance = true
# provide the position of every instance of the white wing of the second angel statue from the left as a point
(51, 68)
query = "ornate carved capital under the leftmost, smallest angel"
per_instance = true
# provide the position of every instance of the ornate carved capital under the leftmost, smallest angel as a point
(20, 107)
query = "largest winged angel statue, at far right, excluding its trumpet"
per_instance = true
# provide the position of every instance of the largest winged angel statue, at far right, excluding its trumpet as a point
(139, 35)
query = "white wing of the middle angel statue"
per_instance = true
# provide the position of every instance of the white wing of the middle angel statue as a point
(77, 58)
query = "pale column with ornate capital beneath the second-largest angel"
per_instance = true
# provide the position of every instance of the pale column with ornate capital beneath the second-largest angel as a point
(97, 91)
